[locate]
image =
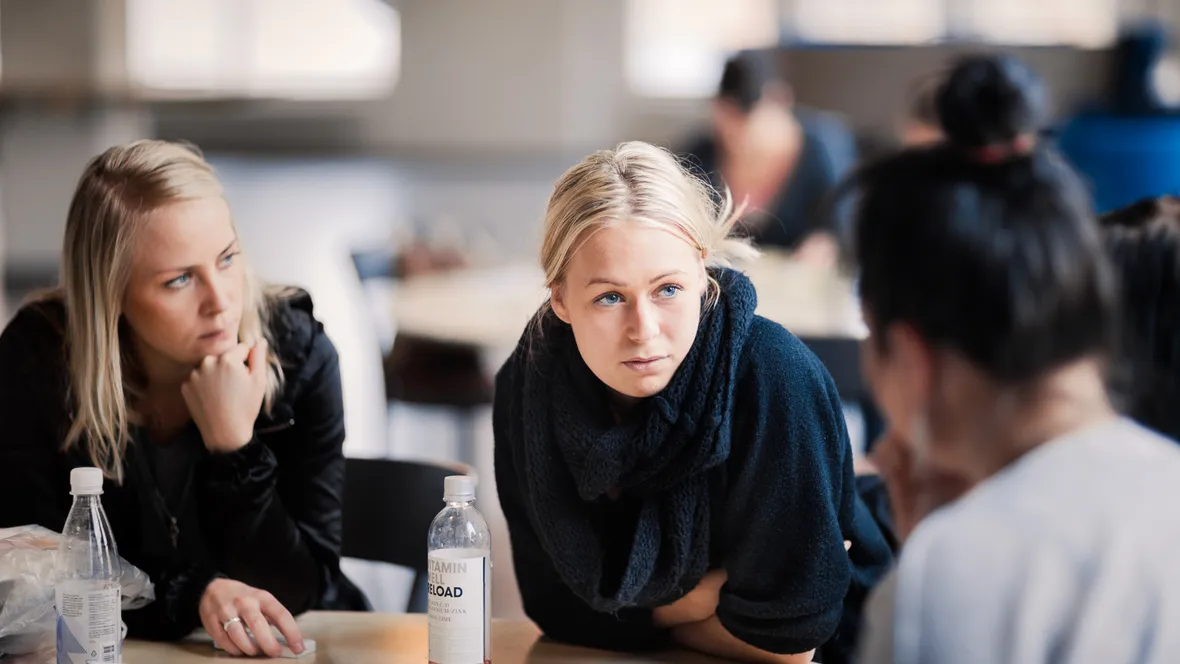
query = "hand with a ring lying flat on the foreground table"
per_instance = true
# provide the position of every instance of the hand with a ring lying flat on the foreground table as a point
(226, 600)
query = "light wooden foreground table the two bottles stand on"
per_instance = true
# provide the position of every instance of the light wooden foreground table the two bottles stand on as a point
(388, 639)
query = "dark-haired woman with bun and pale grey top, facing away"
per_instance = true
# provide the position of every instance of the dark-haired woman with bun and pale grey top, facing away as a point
(991, 305)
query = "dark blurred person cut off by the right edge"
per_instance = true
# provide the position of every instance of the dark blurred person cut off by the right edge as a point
(1144, 242)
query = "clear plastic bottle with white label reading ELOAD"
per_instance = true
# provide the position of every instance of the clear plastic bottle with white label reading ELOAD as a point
(460, 590)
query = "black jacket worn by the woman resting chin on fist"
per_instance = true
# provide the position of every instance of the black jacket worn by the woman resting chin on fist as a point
(268, 515)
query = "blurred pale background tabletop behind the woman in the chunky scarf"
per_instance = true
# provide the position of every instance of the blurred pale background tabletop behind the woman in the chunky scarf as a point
(489, 307)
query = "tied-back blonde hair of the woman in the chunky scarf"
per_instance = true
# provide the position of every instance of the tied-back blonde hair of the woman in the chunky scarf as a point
(641, 183)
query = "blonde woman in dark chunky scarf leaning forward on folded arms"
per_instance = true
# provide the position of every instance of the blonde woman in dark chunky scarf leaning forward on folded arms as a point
(673, 468)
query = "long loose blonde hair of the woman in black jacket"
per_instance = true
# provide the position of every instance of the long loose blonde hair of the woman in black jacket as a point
(117, 193)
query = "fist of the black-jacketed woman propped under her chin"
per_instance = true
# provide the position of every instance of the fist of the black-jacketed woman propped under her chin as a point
(225, 396)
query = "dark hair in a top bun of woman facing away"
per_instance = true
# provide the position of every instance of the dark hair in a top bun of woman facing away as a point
(994, 254)
